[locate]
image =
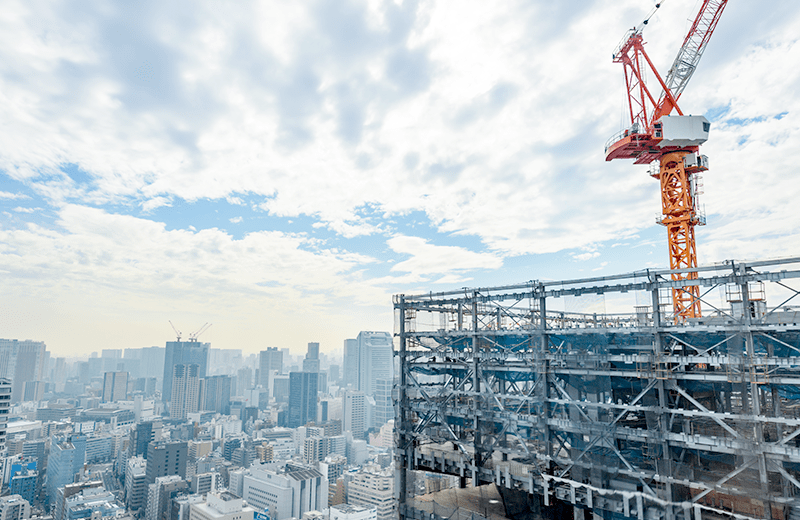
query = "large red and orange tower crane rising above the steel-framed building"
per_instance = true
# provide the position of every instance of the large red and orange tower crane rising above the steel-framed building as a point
(669, 143)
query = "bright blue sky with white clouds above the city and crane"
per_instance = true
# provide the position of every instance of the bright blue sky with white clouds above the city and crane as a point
(281, 169)
